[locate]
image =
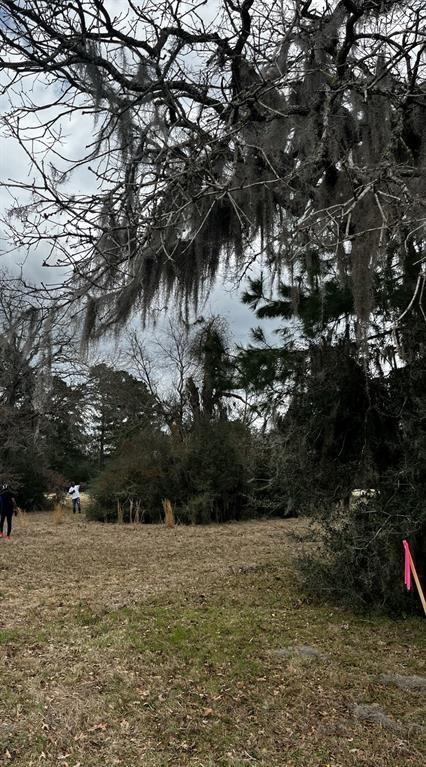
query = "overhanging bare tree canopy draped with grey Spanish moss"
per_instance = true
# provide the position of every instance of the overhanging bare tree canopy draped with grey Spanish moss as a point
(286, 128)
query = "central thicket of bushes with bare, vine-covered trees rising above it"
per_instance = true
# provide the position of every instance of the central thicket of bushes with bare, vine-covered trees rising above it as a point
(192, 447)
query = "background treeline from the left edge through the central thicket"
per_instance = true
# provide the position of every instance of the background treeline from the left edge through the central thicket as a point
(127, 439)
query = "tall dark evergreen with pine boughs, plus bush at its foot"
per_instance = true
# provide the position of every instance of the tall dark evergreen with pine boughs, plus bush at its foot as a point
(347, 416)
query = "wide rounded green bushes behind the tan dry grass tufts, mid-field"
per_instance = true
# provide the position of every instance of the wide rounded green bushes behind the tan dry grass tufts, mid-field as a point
(205, 475)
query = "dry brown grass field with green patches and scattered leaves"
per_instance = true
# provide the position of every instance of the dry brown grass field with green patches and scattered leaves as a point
(192, 646)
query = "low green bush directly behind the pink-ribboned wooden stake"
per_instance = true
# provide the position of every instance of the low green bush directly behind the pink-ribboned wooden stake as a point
(359, 561)
